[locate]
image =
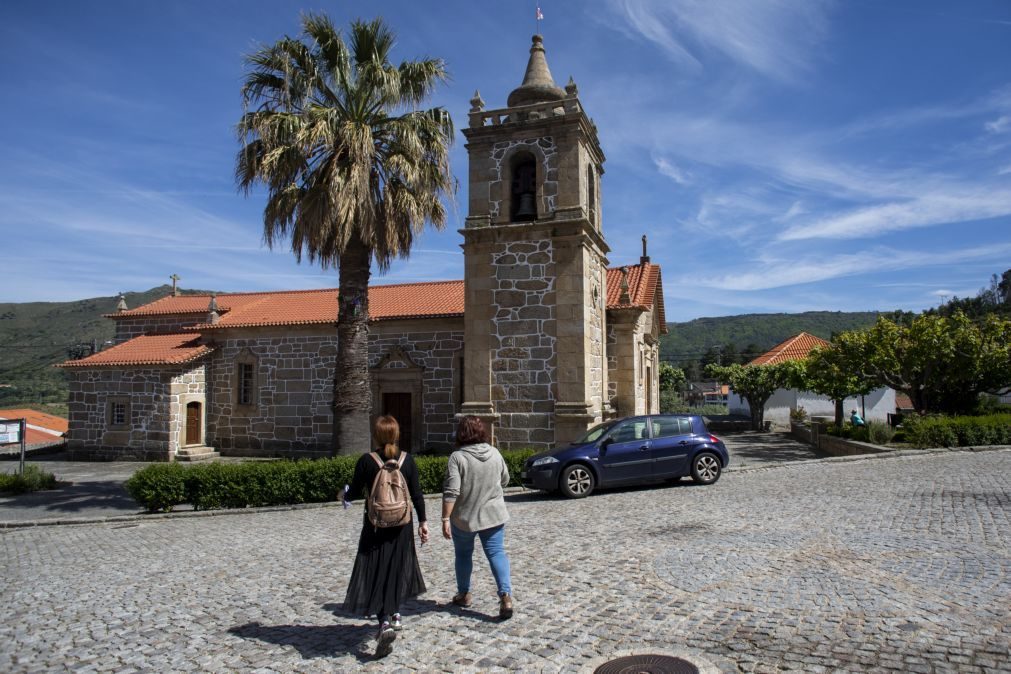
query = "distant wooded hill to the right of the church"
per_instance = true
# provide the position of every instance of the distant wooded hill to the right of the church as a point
(691, 341)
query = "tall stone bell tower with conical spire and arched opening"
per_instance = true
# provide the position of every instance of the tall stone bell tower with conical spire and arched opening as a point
(535, 365)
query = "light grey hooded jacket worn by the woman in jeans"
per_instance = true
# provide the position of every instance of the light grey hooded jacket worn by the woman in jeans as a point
(475, 480)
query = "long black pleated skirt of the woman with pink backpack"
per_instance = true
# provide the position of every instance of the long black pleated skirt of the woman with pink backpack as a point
(387, 571)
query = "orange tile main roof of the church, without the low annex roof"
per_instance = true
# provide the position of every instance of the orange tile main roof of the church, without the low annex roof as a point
(387, 303)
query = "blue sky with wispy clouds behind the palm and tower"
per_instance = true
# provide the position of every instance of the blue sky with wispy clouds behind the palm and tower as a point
(782, 156)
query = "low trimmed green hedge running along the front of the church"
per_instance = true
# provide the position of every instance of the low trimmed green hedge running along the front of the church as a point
(161, 488)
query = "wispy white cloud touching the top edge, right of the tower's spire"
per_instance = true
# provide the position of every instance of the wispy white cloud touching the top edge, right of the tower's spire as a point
(776, 38)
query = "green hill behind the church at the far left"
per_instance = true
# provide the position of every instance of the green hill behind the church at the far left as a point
(37, 336)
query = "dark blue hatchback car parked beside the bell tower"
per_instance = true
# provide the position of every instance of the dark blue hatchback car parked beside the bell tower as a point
(633, 450)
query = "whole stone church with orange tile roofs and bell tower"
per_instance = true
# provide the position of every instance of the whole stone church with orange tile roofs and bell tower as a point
(541, 338)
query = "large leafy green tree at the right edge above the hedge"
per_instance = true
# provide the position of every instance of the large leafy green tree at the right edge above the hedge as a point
(943, 364)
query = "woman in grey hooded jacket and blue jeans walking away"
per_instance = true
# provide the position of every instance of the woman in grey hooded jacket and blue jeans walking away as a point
(475, 506)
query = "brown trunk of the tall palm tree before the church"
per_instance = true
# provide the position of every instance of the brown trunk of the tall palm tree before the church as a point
(352, 386)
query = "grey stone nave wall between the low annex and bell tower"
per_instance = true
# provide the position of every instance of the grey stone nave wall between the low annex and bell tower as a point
(293, 415)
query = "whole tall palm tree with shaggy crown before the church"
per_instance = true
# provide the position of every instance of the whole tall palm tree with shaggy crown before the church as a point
(353, 170)
